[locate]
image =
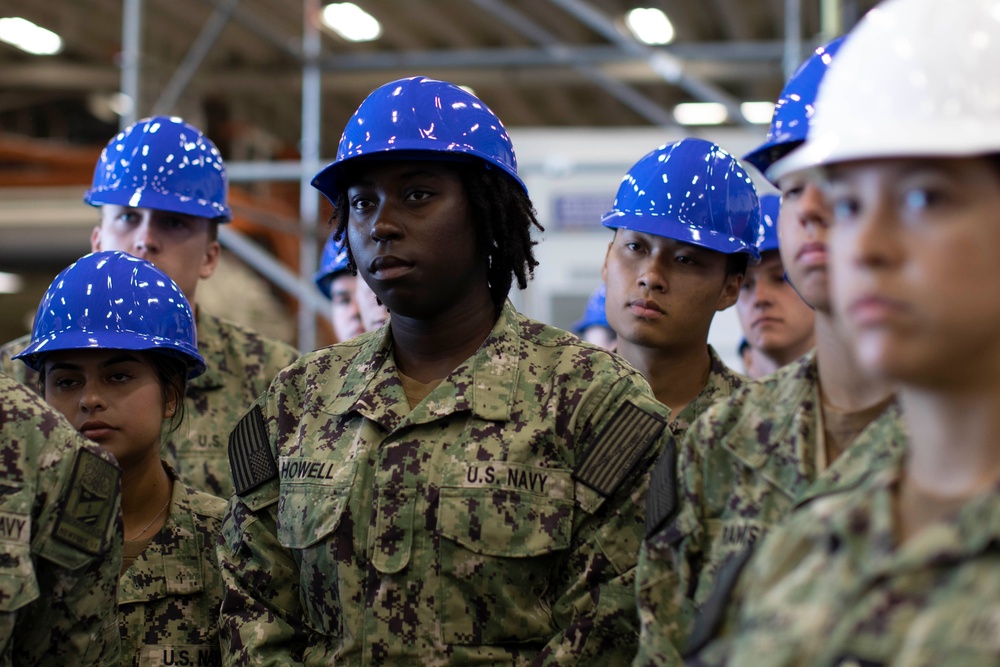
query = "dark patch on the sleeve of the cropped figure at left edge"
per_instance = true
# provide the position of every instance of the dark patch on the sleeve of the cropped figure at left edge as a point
(88, 505)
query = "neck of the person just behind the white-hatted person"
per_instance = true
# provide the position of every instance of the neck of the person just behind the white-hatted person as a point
(844, 383)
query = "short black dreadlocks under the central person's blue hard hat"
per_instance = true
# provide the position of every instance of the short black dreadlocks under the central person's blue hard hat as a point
(503, 215)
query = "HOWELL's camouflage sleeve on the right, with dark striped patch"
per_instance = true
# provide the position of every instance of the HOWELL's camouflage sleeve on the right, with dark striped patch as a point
(595, 610)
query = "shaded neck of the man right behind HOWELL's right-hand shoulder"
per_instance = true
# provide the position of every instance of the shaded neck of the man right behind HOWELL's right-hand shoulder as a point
(675, 377)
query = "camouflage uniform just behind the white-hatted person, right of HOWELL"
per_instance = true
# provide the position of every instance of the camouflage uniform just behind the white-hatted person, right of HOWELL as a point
(741, 468)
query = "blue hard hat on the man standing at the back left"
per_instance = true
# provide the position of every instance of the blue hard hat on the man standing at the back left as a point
(162, 163)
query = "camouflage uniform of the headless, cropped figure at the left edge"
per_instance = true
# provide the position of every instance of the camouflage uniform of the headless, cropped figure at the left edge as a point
(60, 530)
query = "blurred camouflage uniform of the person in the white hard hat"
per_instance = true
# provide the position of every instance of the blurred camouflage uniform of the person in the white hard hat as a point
(833, 586)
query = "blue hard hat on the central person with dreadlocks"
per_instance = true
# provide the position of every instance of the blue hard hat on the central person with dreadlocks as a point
(423, 115)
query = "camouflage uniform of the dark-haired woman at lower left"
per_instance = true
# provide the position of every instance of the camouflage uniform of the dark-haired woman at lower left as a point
(168, 602)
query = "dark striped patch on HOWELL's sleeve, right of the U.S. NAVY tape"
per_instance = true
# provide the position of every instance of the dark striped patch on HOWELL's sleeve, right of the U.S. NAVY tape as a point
(618, 448)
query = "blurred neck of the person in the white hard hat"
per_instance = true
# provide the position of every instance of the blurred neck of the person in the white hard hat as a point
(954, 440)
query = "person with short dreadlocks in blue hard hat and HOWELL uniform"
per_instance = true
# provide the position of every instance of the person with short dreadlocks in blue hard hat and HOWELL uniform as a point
(463, 485)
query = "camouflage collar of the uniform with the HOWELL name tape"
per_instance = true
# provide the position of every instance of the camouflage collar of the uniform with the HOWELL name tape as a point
(484, 384)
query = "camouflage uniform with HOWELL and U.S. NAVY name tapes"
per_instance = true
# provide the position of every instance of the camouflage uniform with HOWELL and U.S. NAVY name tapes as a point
(497, 522)
